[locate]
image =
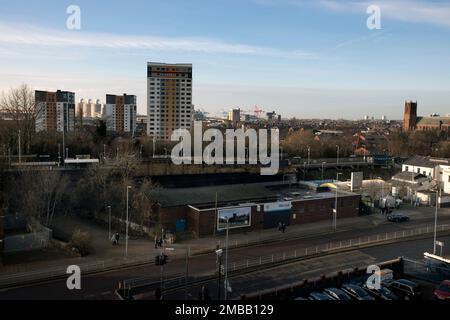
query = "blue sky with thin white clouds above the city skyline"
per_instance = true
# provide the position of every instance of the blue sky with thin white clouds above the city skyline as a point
(300, 58)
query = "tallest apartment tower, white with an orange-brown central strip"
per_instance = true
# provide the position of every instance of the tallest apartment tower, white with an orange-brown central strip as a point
(169, 98)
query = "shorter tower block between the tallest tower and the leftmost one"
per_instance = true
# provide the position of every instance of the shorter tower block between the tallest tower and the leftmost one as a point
(120, 113)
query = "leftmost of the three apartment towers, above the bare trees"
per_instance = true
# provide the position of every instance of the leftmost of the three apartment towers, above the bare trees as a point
(55, 111)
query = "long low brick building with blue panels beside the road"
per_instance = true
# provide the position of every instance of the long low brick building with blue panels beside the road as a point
(194, 209)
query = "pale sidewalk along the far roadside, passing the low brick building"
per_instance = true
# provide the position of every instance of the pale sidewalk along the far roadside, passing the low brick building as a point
(140, 249)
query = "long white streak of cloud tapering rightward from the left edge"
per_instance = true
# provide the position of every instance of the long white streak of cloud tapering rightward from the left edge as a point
(42, 37)
